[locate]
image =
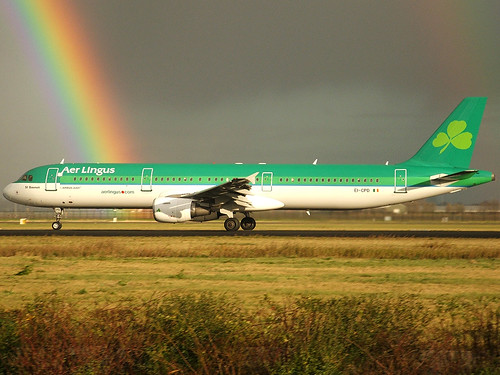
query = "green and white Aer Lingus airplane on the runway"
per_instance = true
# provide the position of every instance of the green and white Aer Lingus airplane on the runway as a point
(201, 192)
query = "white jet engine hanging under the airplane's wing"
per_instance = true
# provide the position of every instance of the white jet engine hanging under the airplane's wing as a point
(177, 210)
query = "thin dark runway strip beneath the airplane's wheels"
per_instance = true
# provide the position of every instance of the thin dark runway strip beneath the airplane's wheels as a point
(255, 233)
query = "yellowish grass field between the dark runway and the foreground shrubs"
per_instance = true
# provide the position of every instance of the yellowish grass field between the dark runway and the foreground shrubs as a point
(110, 269)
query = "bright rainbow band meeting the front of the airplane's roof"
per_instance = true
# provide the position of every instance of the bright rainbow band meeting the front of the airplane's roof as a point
(63, 59)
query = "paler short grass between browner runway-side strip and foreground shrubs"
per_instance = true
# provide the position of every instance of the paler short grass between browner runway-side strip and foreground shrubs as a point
(111, 279)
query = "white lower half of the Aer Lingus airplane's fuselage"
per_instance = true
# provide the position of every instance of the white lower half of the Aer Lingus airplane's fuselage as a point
(292, 197)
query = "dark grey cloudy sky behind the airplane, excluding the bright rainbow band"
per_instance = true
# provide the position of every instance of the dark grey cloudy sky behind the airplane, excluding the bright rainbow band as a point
(274, 81)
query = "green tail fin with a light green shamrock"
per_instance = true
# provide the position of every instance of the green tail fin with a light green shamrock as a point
(453, 142)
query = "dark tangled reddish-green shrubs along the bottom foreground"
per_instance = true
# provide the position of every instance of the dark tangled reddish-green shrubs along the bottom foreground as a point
(210, 334)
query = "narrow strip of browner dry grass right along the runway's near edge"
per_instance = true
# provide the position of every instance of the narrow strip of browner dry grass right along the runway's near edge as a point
(251, 247)
